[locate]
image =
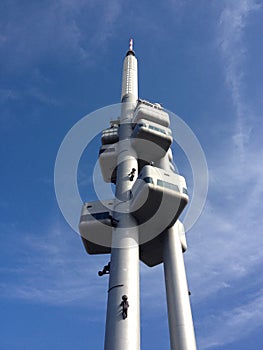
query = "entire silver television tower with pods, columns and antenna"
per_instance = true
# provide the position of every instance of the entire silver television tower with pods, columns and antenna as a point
(142, 221)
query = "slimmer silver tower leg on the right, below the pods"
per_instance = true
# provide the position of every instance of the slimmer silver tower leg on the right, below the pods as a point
(182, 336)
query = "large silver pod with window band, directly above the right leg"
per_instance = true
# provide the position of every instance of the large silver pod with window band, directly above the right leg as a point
(158, 198)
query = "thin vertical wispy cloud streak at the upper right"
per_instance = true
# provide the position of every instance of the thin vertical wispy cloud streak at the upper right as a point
(231, 28)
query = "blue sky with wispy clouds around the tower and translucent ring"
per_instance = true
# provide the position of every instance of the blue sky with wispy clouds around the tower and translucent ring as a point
(61, 60)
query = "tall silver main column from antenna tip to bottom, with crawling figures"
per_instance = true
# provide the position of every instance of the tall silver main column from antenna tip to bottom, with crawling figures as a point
(124, 334)
